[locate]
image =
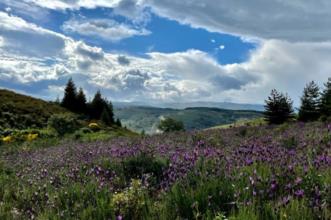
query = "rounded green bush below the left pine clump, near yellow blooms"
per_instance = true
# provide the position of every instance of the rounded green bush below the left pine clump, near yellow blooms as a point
(63, 123)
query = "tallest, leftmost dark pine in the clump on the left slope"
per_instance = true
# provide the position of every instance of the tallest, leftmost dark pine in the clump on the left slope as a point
(69, 100)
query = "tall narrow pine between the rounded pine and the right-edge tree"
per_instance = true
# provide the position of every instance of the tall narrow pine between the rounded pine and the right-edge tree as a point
(309, 109)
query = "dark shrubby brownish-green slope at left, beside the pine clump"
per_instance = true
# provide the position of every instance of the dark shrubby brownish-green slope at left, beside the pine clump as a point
(21, 111)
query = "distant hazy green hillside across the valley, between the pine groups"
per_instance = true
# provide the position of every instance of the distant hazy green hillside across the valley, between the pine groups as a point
(147, 118)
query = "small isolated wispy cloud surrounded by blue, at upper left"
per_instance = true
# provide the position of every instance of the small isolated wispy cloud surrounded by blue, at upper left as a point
(106, 29)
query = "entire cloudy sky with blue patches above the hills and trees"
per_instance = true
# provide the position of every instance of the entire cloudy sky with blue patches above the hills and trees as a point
(160, 51)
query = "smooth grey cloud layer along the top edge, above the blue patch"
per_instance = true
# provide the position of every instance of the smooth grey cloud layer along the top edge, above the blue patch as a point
(295, 20)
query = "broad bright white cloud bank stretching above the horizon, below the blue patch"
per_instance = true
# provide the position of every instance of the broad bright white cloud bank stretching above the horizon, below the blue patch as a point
(189, 75)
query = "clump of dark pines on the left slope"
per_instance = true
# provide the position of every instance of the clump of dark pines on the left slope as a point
(97, 109)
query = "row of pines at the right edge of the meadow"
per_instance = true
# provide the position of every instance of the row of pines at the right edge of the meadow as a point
(315, 104)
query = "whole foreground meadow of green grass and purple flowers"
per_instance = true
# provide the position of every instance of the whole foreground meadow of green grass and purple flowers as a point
(245, 172)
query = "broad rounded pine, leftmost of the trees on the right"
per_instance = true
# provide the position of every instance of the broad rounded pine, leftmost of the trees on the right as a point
(278, 108)
